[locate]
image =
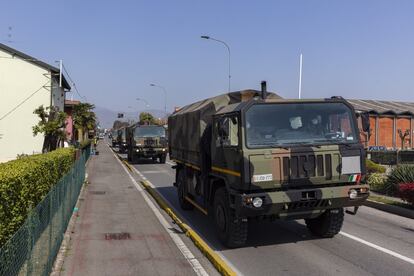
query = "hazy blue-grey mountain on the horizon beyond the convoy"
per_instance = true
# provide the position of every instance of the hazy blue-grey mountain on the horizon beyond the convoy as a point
(107, 116)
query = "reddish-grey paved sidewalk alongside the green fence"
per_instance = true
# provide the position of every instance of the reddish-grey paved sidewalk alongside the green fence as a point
(116, 233)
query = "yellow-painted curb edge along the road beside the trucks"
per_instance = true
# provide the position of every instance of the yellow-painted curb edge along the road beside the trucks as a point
(222, 267)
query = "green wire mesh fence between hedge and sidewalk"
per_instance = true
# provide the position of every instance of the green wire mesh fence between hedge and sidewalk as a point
(33, 248)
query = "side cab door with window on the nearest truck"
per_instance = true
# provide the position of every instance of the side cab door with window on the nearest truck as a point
(226, 153)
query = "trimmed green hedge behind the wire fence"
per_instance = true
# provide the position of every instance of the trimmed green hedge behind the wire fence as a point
(25, 182)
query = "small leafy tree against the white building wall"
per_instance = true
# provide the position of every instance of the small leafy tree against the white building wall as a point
(52, 124)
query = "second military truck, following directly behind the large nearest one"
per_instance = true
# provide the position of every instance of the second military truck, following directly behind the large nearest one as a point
(146, 141)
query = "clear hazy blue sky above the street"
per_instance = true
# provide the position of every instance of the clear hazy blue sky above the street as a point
(115, 49)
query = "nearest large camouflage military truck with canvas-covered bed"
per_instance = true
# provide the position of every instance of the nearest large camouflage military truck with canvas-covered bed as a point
(250, 155)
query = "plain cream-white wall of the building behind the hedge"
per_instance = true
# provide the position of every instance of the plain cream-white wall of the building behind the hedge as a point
(19, 79)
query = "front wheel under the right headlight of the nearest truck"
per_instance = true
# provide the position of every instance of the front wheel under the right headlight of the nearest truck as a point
(328, 224)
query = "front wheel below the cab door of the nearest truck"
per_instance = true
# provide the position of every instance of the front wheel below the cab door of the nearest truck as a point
(231, 231)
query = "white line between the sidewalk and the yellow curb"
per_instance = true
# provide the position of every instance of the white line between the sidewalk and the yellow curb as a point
(195, 264)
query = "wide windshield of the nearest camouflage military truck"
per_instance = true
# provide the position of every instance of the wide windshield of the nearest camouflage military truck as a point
(299, 123)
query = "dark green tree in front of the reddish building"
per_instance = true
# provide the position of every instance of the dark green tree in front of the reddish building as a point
(84, 118)
